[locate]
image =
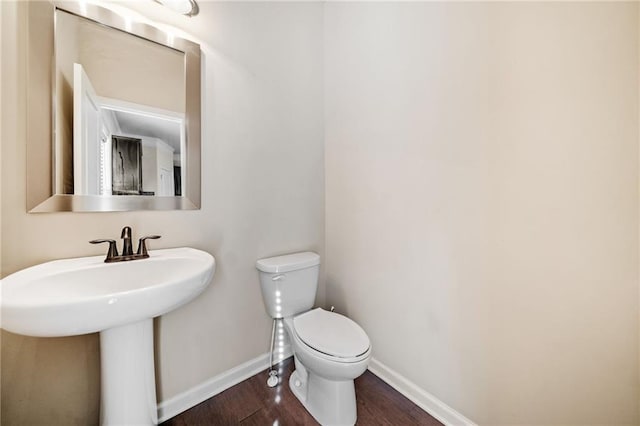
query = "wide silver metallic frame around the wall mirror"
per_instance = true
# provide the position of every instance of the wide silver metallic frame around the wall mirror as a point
(41, 95)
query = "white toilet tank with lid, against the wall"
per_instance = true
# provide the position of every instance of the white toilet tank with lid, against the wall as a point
(289, 283)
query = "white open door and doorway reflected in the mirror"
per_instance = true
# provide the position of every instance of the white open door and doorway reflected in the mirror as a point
(122, 148)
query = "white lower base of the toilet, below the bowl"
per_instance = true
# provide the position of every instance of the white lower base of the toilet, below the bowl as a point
(331, 403)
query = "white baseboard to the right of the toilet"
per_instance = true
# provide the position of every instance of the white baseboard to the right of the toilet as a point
(419, 396)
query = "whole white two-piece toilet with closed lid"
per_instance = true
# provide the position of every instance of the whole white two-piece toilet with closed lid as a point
(329, 349)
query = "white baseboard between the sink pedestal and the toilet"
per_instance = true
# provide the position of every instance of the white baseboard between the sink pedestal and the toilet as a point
(199, 393)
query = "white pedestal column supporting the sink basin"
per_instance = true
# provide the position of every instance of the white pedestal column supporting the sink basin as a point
(128, 375)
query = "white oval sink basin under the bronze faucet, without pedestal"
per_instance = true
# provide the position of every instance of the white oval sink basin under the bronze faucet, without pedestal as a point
(85, 295)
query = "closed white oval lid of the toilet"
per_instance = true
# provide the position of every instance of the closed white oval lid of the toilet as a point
(331, 333)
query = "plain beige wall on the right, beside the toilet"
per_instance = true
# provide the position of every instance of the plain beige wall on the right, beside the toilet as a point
(482, 201)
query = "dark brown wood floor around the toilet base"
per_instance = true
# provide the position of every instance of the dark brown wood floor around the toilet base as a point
(253, 403)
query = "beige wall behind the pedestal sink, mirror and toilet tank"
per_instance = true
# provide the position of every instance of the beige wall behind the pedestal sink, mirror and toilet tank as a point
(262, 183)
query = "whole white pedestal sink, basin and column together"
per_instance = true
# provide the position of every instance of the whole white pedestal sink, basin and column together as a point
(85, 295)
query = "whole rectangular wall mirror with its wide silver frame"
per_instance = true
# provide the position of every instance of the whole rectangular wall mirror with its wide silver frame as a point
(113, 113)
